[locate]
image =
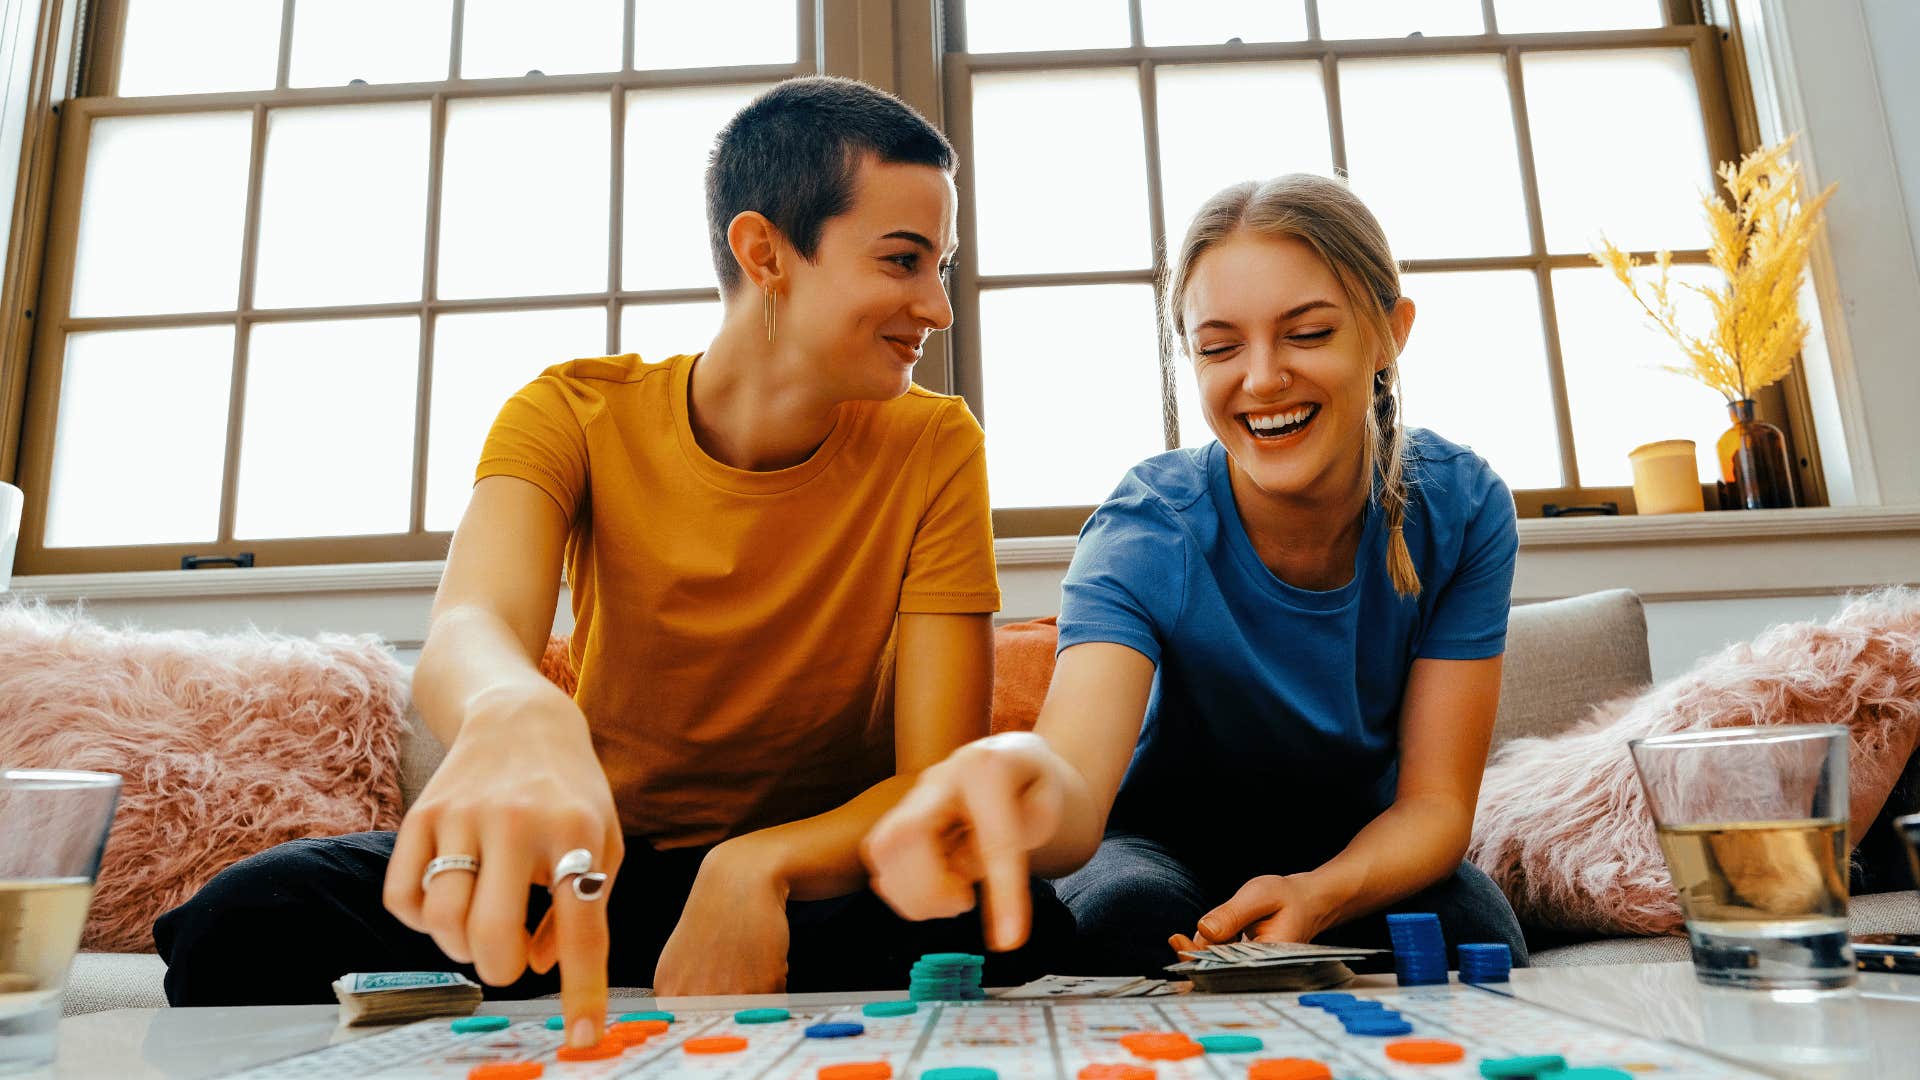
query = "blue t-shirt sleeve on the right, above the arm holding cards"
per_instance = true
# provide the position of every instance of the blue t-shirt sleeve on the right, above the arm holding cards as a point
(1470, 618)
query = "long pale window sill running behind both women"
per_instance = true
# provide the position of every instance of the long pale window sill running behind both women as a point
(1685, 556)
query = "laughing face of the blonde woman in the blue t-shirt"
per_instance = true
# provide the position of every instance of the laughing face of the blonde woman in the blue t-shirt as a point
(1285, 366)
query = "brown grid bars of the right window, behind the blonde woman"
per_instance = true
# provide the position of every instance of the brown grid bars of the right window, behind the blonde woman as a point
(1683, 32)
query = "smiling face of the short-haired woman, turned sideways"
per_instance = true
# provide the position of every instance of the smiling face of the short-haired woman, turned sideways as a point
(873, 293)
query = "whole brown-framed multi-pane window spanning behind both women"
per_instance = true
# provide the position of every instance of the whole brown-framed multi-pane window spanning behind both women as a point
(300, 251)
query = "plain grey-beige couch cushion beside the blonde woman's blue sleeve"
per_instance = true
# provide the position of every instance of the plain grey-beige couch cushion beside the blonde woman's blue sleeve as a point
(1568, 656)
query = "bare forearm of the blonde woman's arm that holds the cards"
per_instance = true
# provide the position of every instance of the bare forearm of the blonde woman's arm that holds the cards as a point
(1410, 847)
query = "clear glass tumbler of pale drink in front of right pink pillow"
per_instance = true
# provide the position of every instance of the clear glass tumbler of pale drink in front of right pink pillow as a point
(1754, 823)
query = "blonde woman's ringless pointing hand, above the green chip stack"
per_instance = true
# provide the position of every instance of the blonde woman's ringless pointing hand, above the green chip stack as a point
(974, 818)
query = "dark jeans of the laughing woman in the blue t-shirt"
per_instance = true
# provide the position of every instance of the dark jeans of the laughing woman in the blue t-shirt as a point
(1136, 893)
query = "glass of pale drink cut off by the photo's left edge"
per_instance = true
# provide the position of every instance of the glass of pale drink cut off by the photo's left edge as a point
(53, 831)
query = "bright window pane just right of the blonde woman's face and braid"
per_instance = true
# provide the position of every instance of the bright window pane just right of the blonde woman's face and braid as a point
(1476, 370)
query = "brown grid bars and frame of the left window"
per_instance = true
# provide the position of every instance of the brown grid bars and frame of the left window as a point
(62, 239)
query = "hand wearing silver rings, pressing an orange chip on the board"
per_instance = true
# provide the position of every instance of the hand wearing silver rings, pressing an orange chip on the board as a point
(519, 787)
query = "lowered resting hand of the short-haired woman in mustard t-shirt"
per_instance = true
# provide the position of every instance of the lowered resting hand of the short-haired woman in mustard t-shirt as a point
(732, 935)
